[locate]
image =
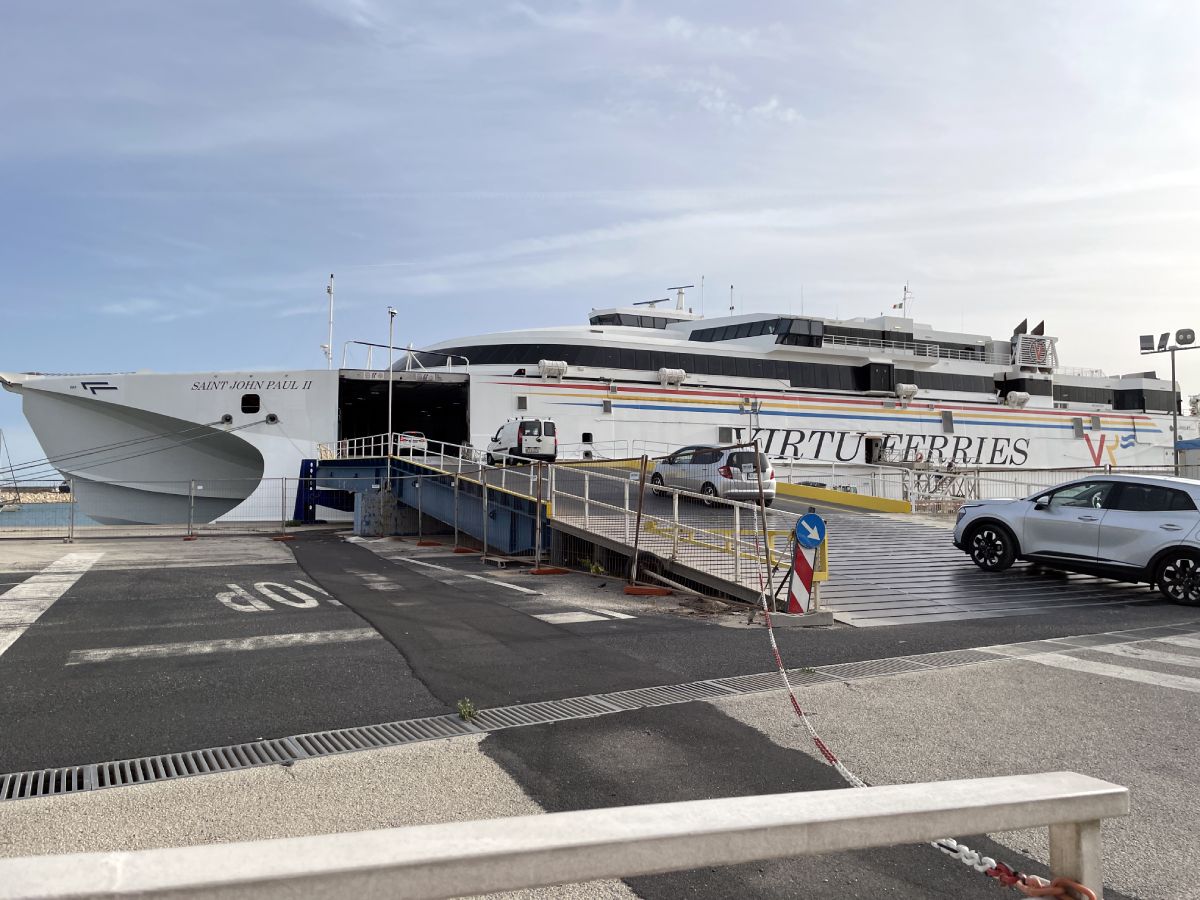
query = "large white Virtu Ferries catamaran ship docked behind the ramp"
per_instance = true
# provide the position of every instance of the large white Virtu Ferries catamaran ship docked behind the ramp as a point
(862, 391)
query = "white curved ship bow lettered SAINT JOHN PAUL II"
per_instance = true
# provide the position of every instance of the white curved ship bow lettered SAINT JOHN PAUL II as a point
(151, 448)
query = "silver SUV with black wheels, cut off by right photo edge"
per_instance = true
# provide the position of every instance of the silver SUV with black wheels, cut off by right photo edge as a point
(1126, 527)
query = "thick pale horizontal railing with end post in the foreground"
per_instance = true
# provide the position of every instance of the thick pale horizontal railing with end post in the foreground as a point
(458, 860)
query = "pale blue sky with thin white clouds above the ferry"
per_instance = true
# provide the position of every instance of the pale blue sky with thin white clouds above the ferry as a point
(179, 179)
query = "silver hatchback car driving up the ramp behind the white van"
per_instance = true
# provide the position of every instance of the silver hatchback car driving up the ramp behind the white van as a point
(724, 472)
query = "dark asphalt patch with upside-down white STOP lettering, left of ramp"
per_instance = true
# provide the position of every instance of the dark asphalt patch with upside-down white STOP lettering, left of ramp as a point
(142, 657)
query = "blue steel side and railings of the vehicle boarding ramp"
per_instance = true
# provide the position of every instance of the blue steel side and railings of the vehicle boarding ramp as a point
(602, 515)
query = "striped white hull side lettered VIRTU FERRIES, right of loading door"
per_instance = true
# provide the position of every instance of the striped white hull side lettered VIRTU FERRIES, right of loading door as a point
(806, 427)
